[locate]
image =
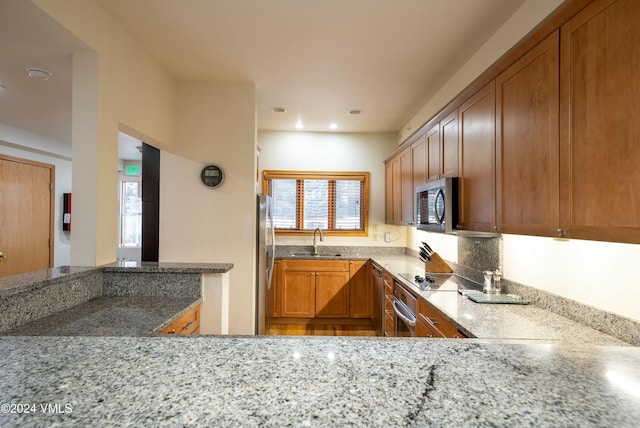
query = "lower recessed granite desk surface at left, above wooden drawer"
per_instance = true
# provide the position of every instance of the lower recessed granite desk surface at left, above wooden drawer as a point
(110, 316)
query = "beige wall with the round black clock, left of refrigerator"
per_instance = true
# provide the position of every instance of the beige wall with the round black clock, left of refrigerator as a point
(215, 123)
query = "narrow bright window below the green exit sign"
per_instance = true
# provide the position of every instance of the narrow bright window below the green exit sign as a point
(131, 214)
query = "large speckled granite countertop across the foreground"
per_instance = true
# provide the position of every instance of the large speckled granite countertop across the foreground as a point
(314, 381)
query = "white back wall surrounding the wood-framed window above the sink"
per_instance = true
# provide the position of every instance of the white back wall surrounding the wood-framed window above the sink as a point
(326, 151)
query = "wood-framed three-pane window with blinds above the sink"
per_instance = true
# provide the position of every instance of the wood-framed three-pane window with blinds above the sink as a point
(336, 202)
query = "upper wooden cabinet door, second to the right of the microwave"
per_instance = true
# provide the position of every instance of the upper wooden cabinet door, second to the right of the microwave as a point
(527, 150)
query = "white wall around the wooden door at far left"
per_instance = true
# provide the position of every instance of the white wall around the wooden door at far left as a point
(26, 145)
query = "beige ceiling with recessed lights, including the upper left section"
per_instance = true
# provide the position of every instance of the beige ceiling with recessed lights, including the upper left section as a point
(318, 59)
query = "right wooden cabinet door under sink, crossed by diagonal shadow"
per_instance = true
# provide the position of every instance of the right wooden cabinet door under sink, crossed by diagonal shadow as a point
(332, 294)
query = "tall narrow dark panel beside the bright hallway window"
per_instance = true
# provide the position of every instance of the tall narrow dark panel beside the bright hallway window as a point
(150, 203)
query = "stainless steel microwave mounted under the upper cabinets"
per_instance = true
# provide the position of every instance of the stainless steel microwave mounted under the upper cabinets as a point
(437, 205)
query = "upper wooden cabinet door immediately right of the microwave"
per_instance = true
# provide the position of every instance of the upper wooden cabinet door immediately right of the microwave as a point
(477, 161)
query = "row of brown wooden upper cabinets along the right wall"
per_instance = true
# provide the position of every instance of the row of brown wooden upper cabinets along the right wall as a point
(546, 141)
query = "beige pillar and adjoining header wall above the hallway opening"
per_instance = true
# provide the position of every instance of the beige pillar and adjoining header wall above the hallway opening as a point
(117, 86)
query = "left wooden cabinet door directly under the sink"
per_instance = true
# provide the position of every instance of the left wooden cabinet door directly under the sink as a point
(298, 294)
